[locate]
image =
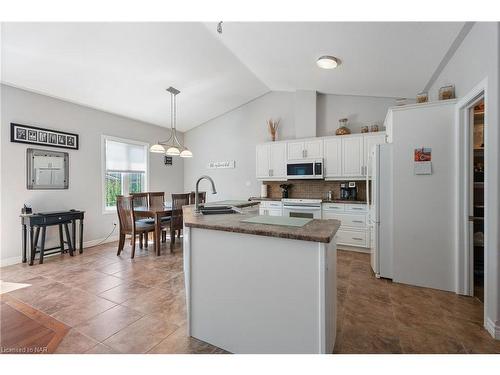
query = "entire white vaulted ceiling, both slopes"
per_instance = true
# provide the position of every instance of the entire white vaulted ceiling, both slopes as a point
(124, 68)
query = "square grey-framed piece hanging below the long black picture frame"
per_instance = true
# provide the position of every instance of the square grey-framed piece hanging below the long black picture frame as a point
(47, 169)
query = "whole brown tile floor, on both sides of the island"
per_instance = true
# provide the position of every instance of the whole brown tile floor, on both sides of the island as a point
(118, 305)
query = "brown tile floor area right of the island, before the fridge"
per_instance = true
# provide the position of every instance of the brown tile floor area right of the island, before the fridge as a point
(379, 316)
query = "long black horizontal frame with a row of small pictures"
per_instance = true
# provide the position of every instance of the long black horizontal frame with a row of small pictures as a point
(43, 137)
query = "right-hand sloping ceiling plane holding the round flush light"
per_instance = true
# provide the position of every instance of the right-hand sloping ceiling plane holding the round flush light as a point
(378, 58)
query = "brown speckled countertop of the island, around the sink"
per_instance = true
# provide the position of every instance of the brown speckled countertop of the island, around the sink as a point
(316, 230)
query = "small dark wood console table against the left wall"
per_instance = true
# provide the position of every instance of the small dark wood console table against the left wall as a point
(41, 221)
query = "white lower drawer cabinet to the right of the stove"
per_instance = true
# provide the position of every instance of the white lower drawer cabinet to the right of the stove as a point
(353, 229)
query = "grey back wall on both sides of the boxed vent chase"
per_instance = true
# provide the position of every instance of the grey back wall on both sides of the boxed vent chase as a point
(234, 135)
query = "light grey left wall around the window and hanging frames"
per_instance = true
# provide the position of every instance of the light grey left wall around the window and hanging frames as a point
(85, 164)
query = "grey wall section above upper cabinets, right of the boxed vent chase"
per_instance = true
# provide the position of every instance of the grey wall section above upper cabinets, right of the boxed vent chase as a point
(360, 110)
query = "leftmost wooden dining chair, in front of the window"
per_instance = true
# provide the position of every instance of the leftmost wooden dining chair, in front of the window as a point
(129, 225)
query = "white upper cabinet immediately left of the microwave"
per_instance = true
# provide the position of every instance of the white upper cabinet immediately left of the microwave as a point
(271, 161)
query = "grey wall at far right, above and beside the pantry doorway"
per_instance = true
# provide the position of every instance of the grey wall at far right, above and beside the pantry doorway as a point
(477, 58)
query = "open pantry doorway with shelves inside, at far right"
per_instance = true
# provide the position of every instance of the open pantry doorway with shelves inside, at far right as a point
(476, 197)
